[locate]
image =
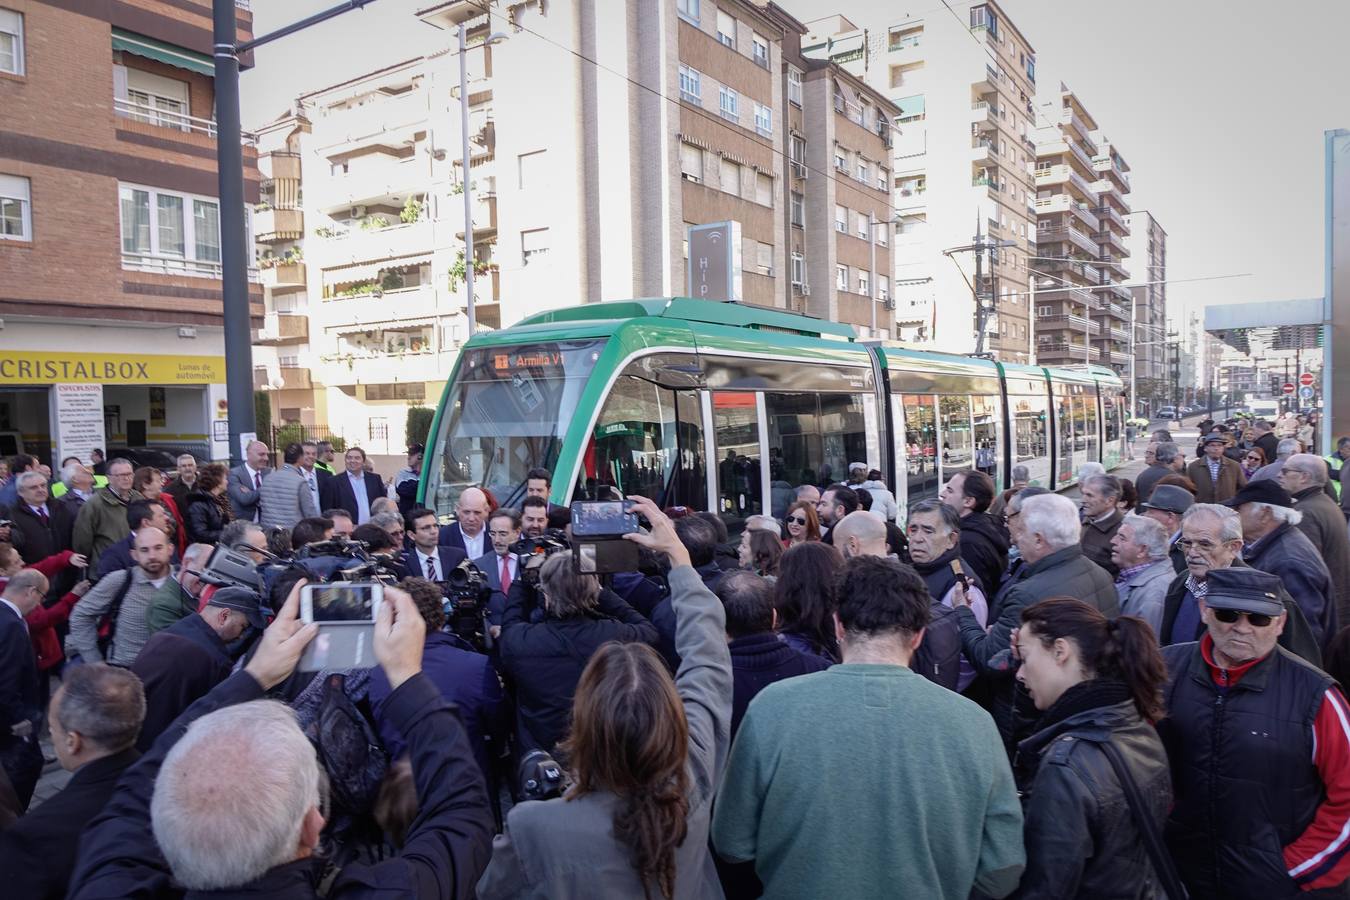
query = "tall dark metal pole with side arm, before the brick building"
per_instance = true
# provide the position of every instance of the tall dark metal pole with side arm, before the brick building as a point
(234, 245)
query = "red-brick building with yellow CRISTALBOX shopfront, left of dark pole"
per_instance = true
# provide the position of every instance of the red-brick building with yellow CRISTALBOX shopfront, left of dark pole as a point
(110, 235)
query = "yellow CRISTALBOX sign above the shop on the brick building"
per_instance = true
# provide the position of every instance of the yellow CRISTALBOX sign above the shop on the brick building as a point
(38, 368)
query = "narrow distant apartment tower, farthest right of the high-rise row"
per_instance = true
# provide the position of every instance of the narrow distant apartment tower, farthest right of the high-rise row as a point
(1150, 266)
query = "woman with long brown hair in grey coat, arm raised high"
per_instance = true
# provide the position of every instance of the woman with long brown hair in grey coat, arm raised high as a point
(646, 755)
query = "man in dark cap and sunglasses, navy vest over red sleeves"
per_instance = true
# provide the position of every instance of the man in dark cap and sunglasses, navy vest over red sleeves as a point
(1252, 820)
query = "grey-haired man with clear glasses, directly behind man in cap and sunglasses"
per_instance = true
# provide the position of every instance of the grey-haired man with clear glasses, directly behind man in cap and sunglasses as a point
(1212, 539)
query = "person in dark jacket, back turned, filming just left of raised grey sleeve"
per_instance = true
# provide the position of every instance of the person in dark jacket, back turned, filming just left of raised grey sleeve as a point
(546, 659)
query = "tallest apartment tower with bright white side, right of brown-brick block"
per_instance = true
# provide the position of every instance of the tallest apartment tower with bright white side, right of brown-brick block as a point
(963, 79)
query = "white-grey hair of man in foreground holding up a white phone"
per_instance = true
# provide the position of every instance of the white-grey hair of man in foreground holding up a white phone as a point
(218, 836)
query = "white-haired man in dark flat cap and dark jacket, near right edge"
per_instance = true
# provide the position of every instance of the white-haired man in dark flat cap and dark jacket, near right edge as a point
(1275, 544)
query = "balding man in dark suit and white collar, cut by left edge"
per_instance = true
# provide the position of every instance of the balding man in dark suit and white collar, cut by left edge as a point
(21, 700)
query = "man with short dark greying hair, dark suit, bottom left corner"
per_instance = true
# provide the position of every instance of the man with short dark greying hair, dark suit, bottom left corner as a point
(94, 721)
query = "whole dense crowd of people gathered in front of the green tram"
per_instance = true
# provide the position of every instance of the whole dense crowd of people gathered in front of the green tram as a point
(1136, 694)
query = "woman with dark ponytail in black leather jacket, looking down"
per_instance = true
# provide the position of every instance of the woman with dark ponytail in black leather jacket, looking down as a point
(1097, 682)
